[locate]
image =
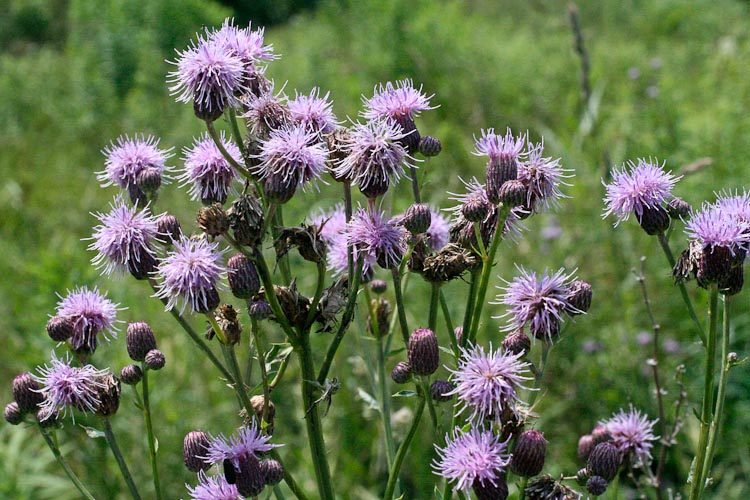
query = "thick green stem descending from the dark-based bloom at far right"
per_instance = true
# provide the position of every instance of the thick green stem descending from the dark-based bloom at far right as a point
(698, 476)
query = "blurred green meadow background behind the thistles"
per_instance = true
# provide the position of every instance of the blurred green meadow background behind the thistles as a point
(668, 79)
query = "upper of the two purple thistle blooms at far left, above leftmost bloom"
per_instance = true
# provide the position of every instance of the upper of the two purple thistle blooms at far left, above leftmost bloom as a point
(91, 313)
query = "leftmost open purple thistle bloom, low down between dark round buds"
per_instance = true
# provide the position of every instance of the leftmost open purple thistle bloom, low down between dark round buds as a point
(65, 386)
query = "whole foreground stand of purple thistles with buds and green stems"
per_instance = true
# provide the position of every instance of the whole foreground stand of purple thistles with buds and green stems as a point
(237, 280)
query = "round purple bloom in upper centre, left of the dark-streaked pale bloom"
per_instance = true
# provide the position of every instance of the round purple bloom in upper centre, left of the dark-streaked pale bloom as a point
(292, 154)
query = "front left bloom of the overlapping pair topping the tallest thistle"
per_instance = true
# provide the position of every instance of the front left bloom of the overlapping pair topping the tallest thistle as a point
(209, 76)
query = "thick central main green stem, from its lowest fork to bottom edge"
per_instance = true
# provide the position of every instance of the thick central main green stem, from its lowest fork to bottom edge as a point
(312, 419)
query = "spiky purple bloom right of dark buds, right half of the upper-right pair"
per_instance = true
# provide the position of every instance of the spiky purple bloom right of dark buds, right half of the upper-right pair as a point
(542, 178)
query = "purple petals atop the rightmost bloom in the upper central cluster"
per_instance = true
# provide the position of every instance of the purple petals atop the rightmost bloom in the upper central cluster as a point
(396, 101)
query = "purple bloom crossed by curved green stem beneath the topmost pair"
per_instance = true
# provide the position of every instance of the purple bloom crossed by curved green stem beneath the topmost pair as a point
(207, 171)
